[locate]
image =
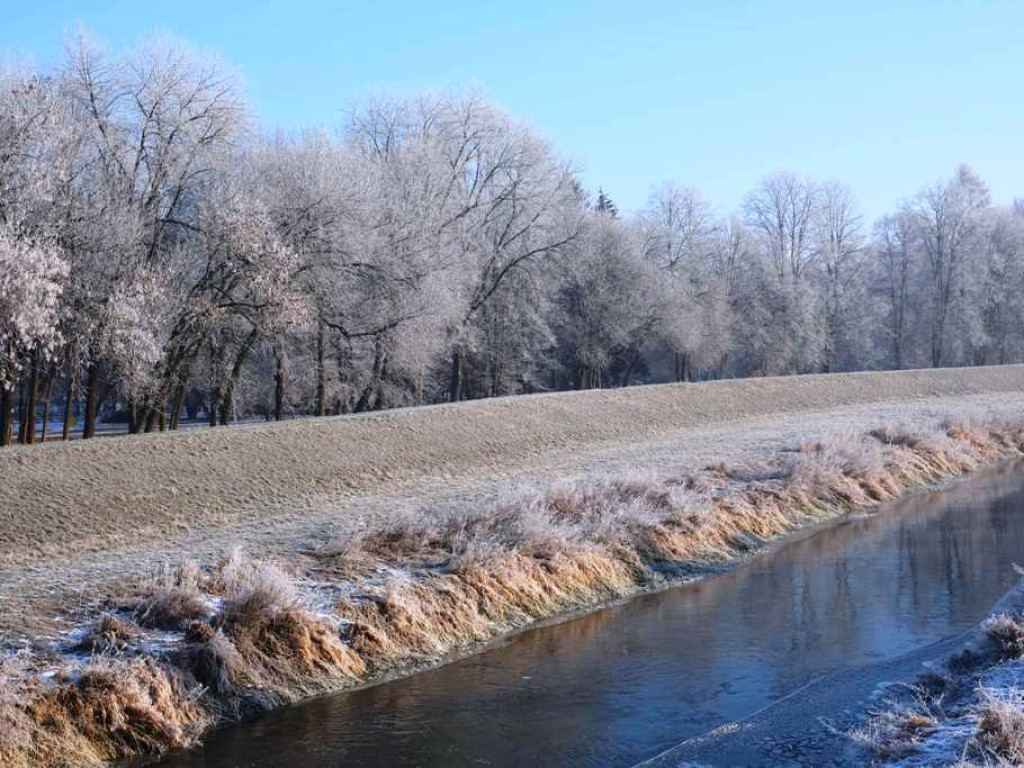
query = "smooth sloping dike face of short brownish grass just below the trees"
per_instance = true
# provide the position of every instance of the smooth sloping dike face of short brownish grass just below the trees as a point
(62, 499)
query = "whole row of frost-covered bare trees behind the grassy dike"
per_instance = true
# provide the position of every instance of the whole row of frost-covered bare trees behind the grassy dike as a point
(162, 260)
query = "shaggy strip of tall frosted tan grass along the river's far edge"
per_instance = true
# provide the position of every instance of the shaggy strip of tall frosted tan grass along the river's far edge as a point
(206, 644)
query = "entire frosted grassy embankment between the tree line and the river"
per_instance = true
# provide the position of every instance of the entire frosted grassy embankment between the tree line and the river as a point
(386, 542)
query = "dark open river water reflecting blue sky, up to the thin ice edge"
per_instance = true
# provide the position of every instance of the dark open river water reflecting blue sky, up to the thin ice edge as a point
(619, 687)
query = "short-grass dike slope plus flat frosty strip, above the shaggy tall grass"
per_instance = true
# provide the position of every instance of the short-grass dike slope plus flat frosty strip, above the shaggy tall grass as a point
(534, 443)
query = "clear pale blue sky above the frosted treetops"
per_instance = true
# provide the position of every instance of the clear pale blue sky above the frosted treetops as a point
(886, 97)
